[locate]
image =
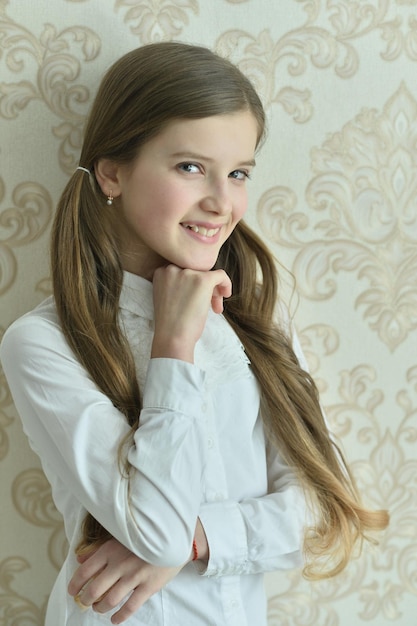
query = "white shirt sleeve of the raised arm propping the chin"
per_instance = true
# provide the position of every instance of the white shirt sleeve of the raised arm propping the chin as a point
(76, 431)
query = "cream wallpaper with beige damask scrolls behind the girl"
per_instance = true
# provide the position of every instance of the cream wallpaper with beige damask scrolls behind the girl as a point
(335, 196)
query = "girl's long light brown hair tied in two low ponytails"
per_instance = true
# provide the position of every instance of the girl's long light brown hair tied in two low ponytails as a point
(141, 93)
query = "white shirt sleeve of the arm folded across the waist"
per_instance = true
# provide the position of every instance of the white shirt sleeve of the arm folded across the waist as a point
(265, 533)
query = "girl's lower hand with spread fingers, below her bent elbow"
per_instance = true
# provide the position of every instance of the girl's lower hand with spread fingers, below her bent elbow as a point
(109, 573)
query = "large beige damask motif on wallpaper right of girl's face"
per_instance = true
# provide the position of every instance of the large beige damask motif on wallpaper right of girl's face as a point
(362, 205)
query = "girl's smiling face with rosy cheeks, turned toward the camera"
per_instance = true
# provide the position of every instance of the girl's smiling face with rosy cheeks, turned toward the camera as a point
(185, 193)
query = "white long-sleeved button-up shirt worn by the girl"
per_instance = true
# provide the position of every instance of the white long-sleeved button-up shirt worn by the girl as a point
(199, 451)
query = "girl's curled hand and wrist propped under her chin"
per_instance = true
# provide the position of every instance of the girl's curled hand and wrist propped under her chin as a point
(182, 298)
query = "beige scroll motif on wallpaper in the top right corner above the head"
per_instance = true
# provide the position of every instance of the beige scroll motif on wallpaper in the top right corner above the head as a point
(326, 40)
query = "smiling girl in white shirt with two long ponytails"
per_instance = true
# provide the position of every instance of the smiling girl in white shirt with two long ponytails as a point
(186, 448)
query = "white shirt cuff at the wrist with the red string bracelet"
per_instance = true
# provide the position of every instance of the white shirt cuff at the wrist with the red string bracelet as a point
(227, 539)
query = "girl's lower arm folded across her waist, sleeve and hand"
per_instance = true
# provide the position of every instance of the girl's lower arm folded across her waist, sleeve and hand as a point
(251, 536)
